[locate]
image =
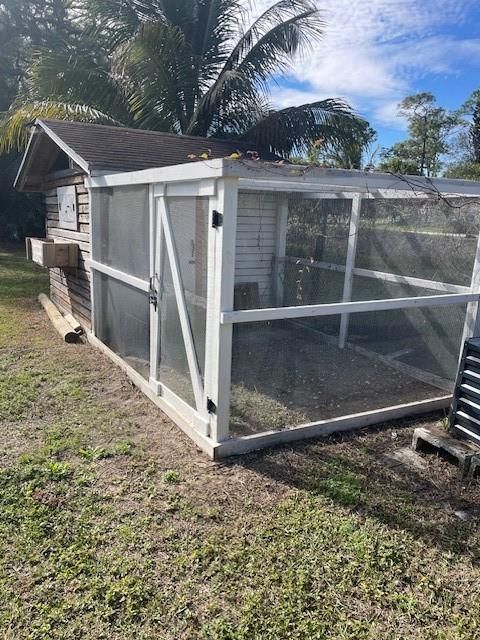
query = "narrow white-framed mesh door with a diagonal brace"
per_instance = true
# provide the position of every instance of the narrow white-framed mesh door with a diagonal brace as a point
(180, 300)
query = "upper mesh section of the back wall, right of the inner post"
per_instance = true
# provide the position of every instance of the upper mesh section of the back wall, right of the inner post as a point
(429, 238)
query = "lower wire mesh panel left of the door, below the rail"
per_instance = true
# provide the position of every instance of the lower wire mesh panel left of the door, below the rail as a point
(122, 321)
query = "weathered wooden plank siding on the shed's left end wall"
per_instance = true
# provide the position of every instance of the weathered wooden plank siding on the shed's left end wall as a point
(70, 287)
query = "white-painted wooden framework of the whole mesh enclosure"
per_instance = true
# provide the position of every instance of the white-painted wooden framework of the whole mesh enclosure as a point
(220, 180)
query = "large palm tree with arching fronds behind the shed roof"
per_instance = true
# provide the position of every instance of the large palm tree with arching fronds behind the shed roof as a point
(188, 66)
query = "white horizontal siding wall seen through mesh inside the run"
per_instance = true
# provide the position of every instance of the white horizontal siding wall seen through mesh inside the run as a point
(256, 239)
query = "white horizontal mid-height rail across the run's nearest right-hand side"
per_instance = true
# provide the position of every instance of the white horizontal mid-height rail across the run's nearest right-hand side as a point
(316, 310)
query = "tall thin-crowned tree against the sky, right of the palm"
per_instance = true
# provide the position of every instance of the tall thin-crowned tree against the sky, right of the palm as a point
(430, 128)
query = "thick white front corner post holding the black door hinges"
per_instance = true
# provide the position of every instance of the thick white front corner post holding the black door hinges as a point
(220, 290)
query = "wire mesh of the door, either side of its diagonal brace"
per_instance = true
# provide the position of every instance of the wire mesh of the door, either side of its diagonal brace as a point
(188, 219)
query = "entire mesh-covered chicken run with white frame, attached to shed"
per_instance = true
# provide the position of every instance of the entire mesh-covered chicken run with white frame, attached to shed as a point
(258, 303)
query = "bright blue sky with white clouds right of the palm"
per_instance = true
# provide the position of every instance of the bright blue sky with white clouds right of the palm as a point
(375, 52)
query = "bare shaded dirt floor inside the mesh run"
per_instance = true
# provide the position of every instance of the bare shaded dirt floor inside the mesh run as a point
(300, 378)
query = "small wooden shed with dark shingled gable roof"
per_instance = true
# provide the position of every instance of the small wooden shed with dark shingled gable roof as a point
(61, 155)
